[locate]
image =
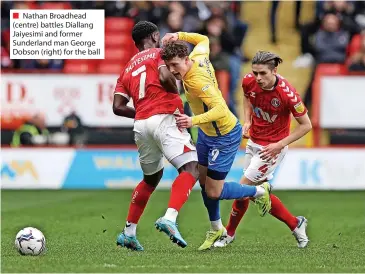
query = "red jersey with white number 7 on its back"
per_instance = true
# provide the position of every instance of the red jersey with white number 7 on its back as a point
(140, 81)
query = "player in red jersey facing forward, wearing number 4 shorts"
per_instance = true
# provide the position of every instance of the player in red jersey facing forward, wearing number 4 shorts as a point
(269, 101)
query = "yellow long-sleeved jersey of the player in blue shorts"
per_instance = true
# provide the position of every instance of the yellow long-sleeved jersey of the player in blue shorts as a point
(211, 112)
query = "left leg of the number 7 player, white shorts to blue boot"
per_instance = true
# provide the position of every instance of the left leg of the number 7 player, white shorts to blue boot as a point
(151, 161)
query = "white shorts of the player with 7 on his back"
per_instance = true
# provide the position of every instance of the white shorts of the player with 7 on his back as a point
(158, 136)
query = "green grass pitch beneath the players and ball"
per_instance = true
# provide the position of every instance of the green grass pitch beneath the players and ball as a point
(73, 225)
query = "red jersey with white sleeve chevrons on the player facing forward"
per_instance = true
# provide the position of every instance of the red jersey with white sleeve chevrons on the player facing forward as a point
(271, 109)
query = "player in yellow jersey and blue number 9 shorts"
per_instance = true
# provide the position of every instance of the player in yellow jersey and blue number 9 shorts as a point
(220, 133)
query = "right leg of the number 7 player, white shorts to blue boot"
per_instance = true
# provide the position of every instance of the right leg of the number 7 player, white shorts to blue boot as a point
(177, 147)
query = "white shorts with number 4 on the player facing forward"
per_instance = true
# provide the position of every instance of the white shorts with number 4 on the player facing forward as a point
(256, 169)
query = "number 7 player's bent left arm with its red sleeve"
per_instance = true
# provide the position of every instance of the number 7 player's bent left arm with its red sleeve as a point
(120, 101)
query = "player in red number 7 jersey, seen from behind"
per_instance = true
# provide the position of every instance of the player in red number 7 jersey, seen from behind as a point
(147, 81)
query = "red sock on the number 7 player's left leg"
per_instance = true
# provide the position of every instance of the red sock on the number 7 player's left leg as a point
(140, 197)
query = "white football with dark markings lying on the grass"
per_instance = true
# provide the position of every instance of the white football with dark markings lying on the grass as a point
(30, 241)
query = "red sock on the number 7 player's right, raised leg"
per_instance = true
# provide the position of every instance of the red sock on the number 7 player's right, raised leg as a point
(181, 189)
